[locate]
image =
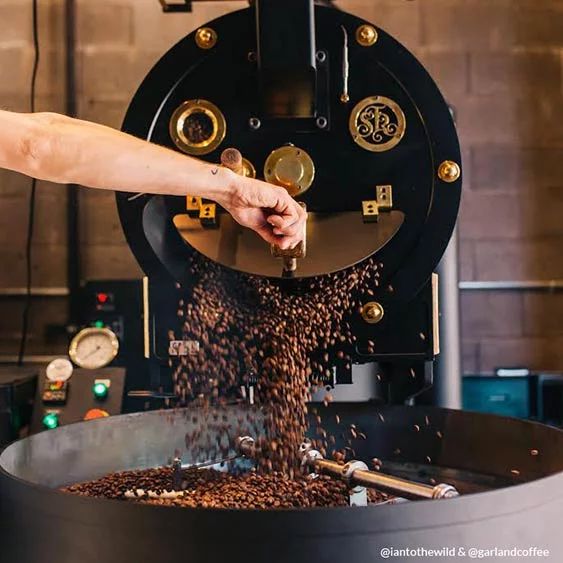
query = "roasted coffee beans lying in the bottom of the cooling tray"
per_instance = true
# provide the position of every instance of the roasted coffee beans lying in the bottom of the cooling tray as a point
(207, 488)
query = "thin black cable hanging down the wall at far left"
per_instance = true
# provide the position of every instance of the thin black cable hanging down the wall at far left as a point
(31, 208)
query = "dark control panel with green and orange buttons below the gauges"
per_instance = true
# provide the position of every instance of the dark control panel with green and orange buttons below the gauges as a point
(86, 395)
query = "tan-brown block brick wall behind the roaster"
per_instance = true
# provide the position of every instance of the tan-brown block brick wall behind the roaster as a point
(499, 64)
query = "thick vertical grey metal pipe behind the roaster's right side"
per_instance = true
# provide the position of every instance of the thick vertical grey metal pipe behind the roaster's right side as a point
(447, 381)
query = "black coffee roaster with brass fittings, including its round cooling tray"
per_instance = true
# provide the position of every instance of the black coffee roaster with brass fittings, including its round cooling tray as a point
(343, 116)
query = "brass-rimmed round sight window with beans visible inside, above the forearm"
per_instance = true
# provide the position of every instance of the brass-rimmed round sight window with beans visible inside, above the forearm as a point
(198, 127)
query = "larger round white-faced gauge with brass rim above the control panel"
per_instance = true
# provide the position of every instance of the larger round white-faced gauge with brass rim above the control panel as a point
(94, 348)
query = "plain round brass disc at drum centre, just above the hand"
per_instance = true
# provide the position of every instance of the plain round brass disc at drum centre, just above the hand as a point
(290, 167)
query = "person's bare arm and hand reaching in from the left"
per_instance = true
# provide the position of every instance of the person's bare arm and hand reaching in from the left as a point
(60, 149)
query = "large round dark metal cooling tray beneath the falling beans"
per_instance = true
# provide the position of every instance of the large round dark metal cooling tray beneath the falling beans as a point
(478, 453)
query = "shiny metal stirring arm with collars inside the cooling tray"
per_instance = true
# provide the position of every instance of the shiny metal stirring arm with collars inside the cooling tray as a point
(357, 474)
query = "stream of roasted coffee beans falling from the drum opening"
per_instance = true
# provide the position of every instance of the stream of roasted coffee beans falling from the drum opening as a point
(281, 337)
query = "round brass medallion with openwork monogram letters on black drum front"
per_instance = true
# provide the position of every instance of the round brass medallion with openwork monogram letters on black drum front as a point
(377, 124)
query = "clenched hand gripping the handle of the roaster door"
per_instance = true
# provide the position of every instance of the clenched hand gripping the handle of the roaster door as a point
(269, 210)
